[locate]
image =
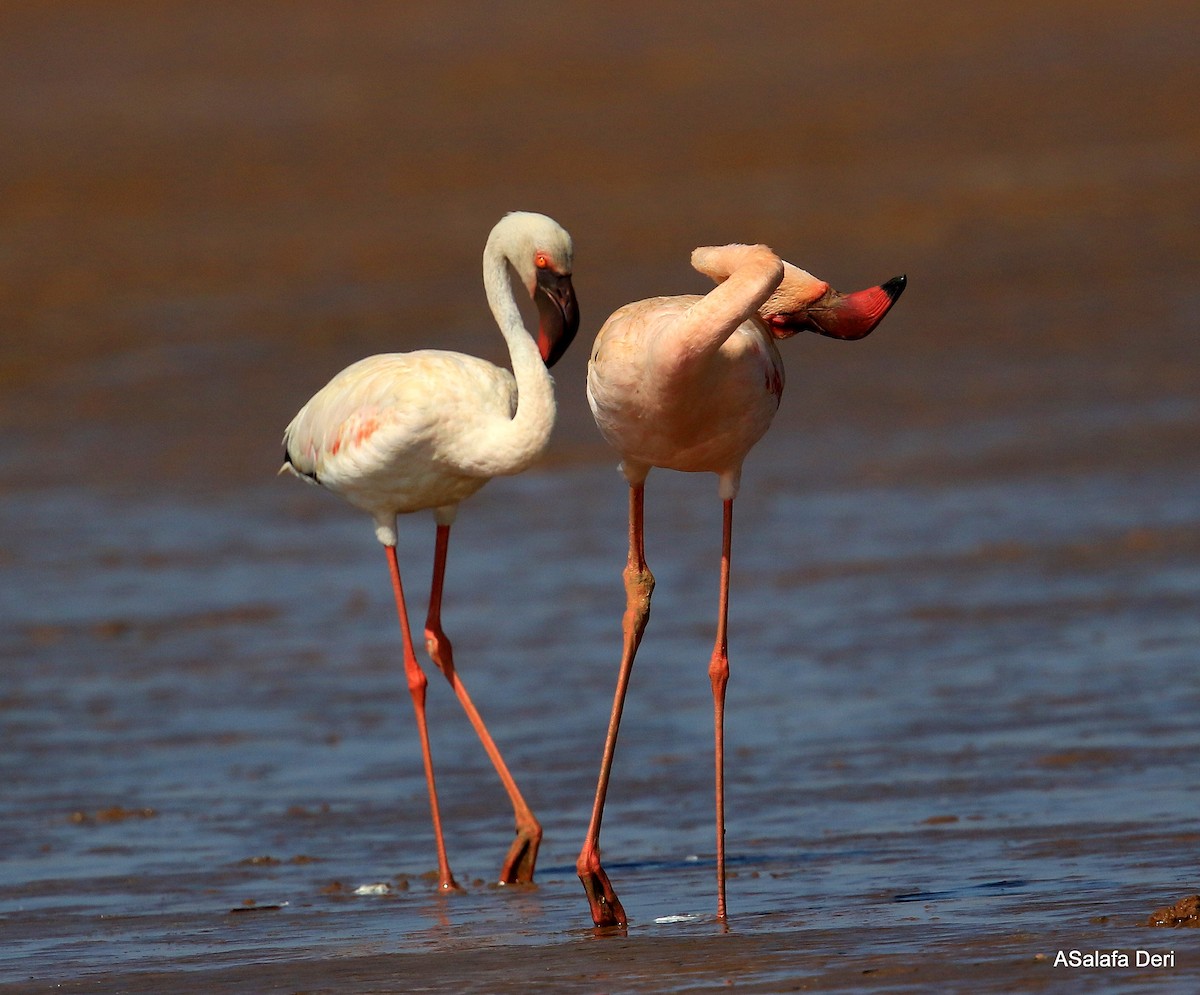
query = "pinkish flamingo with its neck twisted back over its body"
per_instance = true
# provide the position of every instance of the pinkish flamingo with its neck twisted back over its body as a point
(692, 383)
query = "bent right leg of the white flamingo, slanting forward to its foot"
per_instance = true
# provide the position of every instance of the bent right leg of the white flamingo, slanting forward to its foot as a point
(523, 856)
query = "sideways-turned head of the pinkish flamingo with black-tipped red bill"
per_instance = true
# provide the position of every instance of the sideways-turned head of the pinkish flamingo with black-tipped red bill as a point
(802, 303)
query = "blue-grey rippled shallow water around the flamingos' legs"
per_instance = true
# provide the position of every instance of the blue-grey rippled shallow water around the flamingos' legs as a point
(933, 723)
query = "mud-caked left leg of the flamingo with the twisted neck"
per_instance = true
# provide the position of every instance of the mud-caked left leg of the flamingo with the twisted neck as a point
(607, 908)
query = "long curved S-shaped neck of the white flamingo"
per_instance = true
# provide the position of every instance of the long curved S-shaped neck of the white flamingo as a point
(513, 445)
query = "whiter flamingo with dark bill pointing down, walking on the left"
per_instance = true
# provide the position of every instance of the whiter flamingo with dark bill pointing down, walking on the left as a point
(410, 431)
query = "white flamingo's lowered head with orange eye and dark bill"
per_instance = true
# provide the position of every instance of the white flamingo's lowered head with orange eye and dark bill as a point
(542, 254)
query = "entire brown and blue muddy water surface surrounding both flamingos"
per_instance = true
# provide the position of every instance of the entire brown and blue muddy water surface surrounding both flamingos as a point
(967, 560)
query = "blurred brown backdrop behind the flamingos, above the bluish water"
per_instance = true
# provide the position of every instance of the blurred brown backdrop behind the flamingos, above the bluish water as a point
(208, 209)
